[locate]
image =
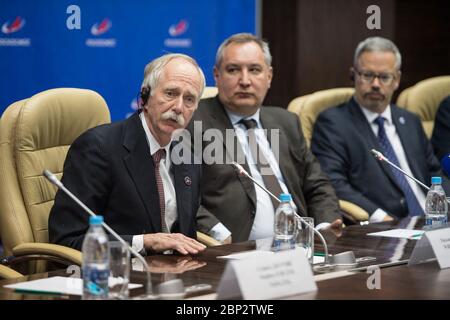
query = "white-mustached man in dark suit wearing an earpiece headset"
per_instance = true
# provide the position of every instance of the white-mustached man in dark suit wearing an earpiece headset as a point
(124, 170)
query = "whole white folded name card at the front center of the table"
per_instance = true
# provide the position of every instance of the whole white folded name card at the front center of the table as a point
(281, 274)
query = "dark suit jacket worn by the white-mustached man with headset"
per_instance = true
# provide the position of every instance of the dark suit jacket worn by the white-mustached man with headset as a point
(110, 169)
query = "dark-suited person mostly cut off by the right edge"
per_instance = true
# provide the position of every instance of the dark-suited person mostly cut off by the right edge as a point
(441, 132)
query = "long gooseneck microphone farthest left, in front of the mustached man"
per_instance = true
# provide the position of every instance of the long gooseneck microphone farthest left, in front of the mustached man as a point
(54, 180)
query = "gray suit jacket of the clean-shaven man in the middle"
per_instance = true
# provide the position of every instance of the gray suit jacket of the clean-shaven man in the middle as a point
(231, 199)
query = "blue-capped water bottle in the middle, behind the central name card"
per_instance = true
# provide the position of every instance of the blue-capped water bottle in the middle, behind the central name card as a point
(285, 224)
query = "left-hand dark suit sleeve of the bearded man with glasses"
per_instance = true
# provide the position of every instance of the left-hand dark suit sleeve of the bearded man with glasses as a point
(329, 146)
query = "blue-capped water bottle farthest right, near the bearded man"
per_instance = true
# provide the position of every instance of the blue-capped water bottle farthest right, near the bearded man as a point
(436, 207)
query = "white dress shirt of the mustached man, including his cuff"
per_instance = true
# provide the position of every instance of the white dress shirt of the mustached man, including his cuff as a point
(168, 184)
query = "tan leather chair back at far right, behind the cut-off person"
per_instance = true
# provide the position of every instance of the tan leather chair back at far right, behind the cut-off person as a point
(424, 98)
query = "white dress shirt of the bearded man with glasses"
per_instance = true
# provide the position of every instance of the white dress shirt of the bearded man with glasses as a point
(396, 143)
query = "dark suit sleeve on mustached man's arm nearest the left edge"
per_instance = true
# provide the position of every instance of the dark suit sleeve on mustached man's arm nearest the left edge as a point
(87, 175)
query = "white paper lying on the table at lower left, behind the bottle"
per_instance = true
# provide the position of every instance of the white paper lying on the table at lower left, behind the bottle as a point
(59, 285)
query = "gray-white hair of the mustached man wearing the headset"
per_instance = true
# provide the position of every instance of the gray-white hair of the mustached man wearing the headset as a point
(153, 70)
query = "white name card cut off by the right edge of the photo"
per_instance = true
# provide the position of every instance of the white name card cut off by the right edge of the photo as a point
(434, 244)
